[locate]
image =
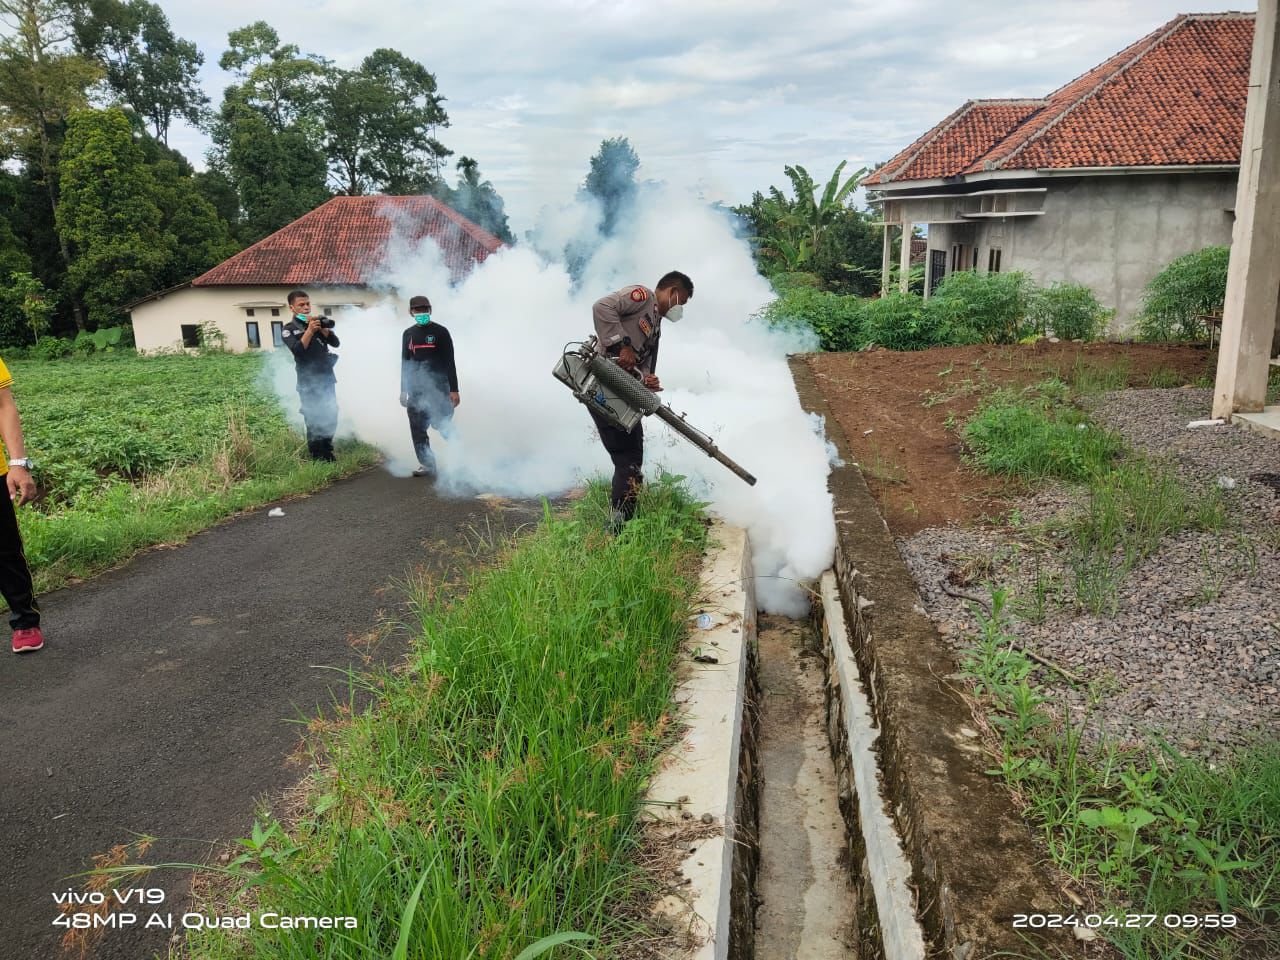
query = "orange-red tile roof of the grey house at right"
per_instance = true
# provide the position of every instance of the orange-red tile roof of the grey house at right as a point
(1176, 98)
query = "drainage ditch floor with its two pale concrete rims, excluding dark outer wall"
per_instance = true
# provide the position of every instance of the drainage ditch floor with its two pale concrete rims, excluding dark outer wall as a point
(753, 799)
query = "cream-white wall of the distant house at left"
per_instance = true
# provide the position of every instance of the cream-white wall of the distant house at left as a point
(158, 324)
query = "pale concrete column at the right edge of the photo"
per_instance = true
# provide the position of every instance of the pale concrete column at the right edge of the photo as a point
(1251, 313)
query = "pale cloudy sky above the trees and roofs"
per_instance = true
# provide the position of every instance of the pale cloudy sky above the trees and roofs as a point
(717, 95)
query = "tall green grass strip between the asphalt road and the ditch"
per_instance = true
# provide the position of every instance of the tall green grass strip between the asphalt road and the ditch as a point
(487, 799)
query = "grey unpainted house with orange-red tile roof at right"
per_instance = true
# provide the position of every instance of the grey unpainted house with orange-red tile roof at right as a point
(1103, 182)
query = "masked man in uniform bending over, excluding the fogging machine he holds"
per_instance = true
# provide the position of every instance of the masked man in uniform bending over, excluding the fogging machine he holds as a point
(628, 328)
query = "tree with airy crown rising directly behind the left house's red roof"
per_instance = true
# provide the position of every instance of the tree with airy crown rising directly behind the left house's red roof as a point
(381, 124)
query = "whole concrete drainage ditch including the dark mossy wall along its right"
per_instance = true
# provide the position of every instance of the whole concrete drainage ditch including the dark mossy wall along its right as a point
(924, 856)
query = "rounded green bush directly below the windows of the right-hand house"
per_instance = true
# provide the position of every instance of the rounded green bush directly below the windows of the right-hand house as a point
(984, 308)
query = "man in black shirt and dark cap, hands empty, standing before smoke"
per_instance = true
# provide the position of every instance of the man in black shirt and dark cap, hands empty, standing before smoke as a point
(429, 381)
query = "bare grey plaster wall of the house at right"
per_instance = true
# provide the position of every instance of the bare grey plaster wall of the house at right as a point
(1110, 234)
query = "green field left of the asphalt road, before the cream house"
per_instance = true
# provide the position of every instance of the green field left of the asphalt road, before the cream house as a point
(139, 451)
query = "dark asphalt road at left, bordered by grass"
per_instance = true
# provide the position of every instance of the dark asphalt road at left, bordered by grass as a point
(167, 696)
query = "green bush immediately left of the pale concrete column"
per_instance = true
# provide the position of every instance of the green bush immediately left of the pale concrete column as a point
(1180, 295)
